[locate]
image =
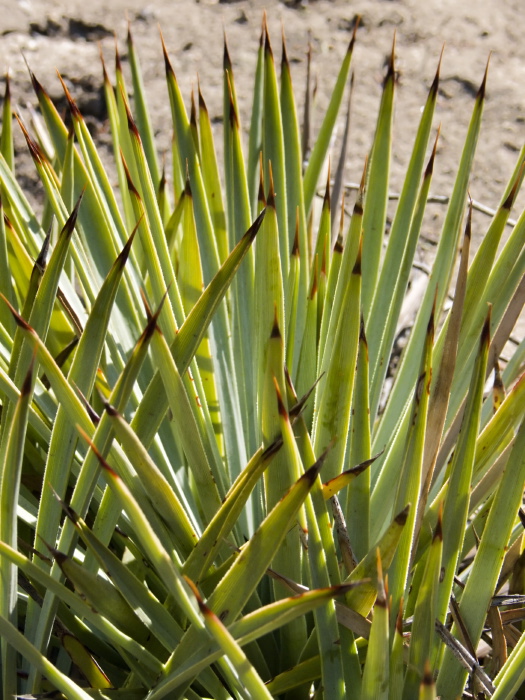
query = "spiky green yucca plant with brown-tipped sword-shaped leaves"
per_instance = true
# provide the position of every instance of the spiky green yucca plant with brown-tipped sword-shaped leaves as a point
(210, 485)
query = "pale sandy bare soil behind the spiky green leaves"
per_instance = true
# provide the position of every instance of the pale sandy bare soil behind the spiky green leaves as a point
(65, 36)
